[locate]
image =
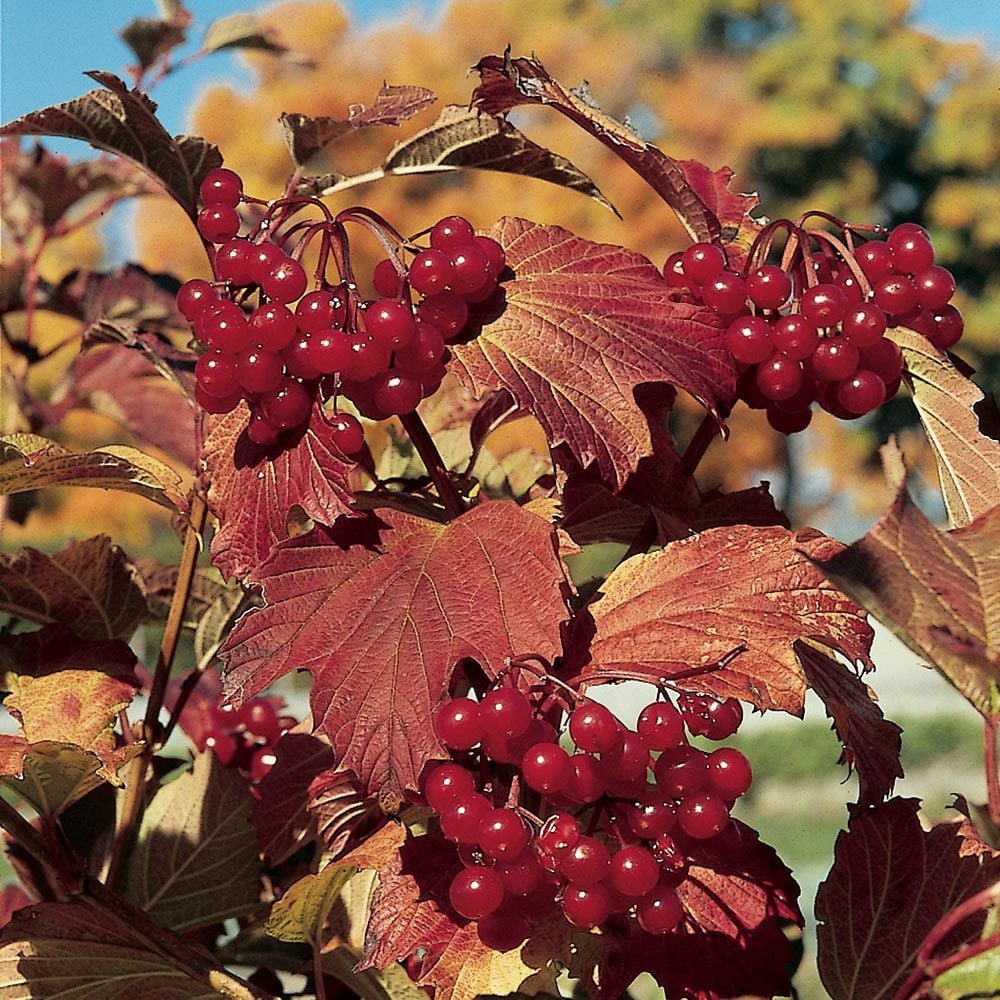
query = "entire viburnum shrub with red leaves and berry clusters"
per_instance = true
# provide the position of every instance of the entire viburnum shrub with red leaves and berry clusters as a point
(459, 811)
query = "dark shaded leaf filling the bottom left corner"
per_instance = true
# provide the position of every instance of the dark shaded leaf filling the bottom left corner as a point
(107, 953)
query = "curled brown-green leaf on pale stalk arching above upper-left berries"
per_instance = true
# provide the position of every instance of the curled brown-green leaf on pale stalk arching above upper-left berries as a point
(466, 138)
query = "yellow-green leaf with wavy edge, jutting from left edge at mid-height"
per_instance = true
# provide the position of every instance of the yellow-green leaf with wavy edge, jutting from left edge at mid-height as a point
(30, 462)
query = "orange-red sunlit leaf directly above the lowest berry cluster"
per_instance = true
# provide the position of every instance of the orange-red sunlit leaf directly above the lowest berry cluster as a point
(736, 596)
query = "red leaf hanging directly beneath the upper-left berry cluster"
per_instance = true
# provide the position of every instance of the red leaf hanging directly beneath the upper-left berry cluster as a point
(252, 489)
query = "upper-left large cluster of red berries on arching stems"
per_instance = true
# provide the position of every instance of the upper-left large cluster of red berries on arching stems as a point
(277, 344)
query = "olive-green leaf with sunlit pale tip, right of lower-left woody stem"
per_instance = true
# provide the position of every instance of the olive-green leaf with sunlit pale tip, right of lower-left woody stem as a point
(196, 860)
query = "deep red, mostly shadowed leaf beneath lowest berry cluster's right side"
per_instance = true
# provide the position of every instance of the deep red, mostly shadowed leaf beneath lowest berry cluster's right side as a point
(736, 897)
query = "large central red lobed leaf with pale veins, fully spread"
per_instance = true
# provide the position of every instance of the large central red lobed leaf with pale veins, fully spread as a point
(381, 618)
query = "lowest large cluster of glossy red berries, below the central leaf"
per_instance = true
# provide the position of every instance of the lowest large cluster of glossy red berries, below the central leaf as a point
(647, 795)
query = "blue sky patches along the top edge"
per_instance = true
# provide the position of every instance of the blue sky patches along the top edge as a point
(45, 45)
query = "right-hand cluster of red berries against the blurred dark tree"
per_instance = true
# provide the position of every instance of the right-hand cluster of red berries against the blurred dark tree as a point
(816, 332)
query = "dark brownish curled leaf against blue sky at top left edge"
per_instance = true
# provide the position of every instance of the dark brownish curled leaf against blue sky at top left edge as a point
(124, 121)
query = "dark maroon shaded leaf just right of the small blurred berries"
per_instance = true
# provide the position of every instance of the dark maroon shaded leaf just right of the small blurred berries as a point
(280, 813)
